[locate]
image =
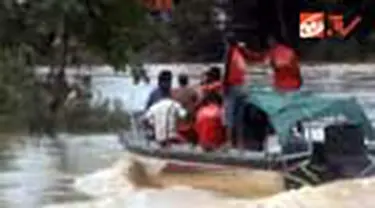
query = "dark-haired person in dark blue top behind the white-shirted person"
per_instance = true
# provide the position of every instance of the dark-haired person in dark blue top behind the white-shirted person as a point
(163, 89)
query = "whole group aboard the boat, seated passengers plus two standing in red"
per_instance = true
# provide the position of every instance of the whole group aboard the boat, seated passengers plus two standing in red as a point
(215, 113)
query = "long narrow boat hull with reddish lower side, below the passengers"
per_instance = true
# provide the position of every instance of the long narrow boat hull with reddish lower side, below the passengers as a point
(185, 161)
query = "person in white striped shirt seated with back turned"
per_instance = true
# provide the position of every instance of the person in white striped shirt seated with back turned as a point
(163, 117)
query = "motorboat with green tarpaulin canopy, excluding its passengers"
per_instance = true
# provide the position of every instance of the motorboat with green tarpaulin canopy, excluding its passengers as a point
(283, 150)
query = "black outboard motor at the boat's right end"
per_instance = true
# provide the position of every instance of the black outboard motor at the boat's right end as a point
(345, 151)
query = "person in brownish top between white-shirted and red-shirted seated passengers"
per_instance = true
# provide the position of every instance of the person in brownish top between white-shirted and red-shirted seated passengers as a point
(188, 98)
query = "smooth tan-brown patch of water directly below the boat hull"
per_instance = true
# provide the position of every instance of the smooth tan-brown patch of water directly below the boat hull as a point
(233, 183)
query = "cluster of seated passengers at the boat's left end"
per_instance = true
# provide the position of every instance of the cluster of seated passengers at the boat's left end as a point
(190, 114)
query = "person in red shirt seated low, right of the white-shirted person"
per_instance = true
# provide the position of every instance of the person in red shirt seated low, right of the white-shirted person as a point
(208, 124)
